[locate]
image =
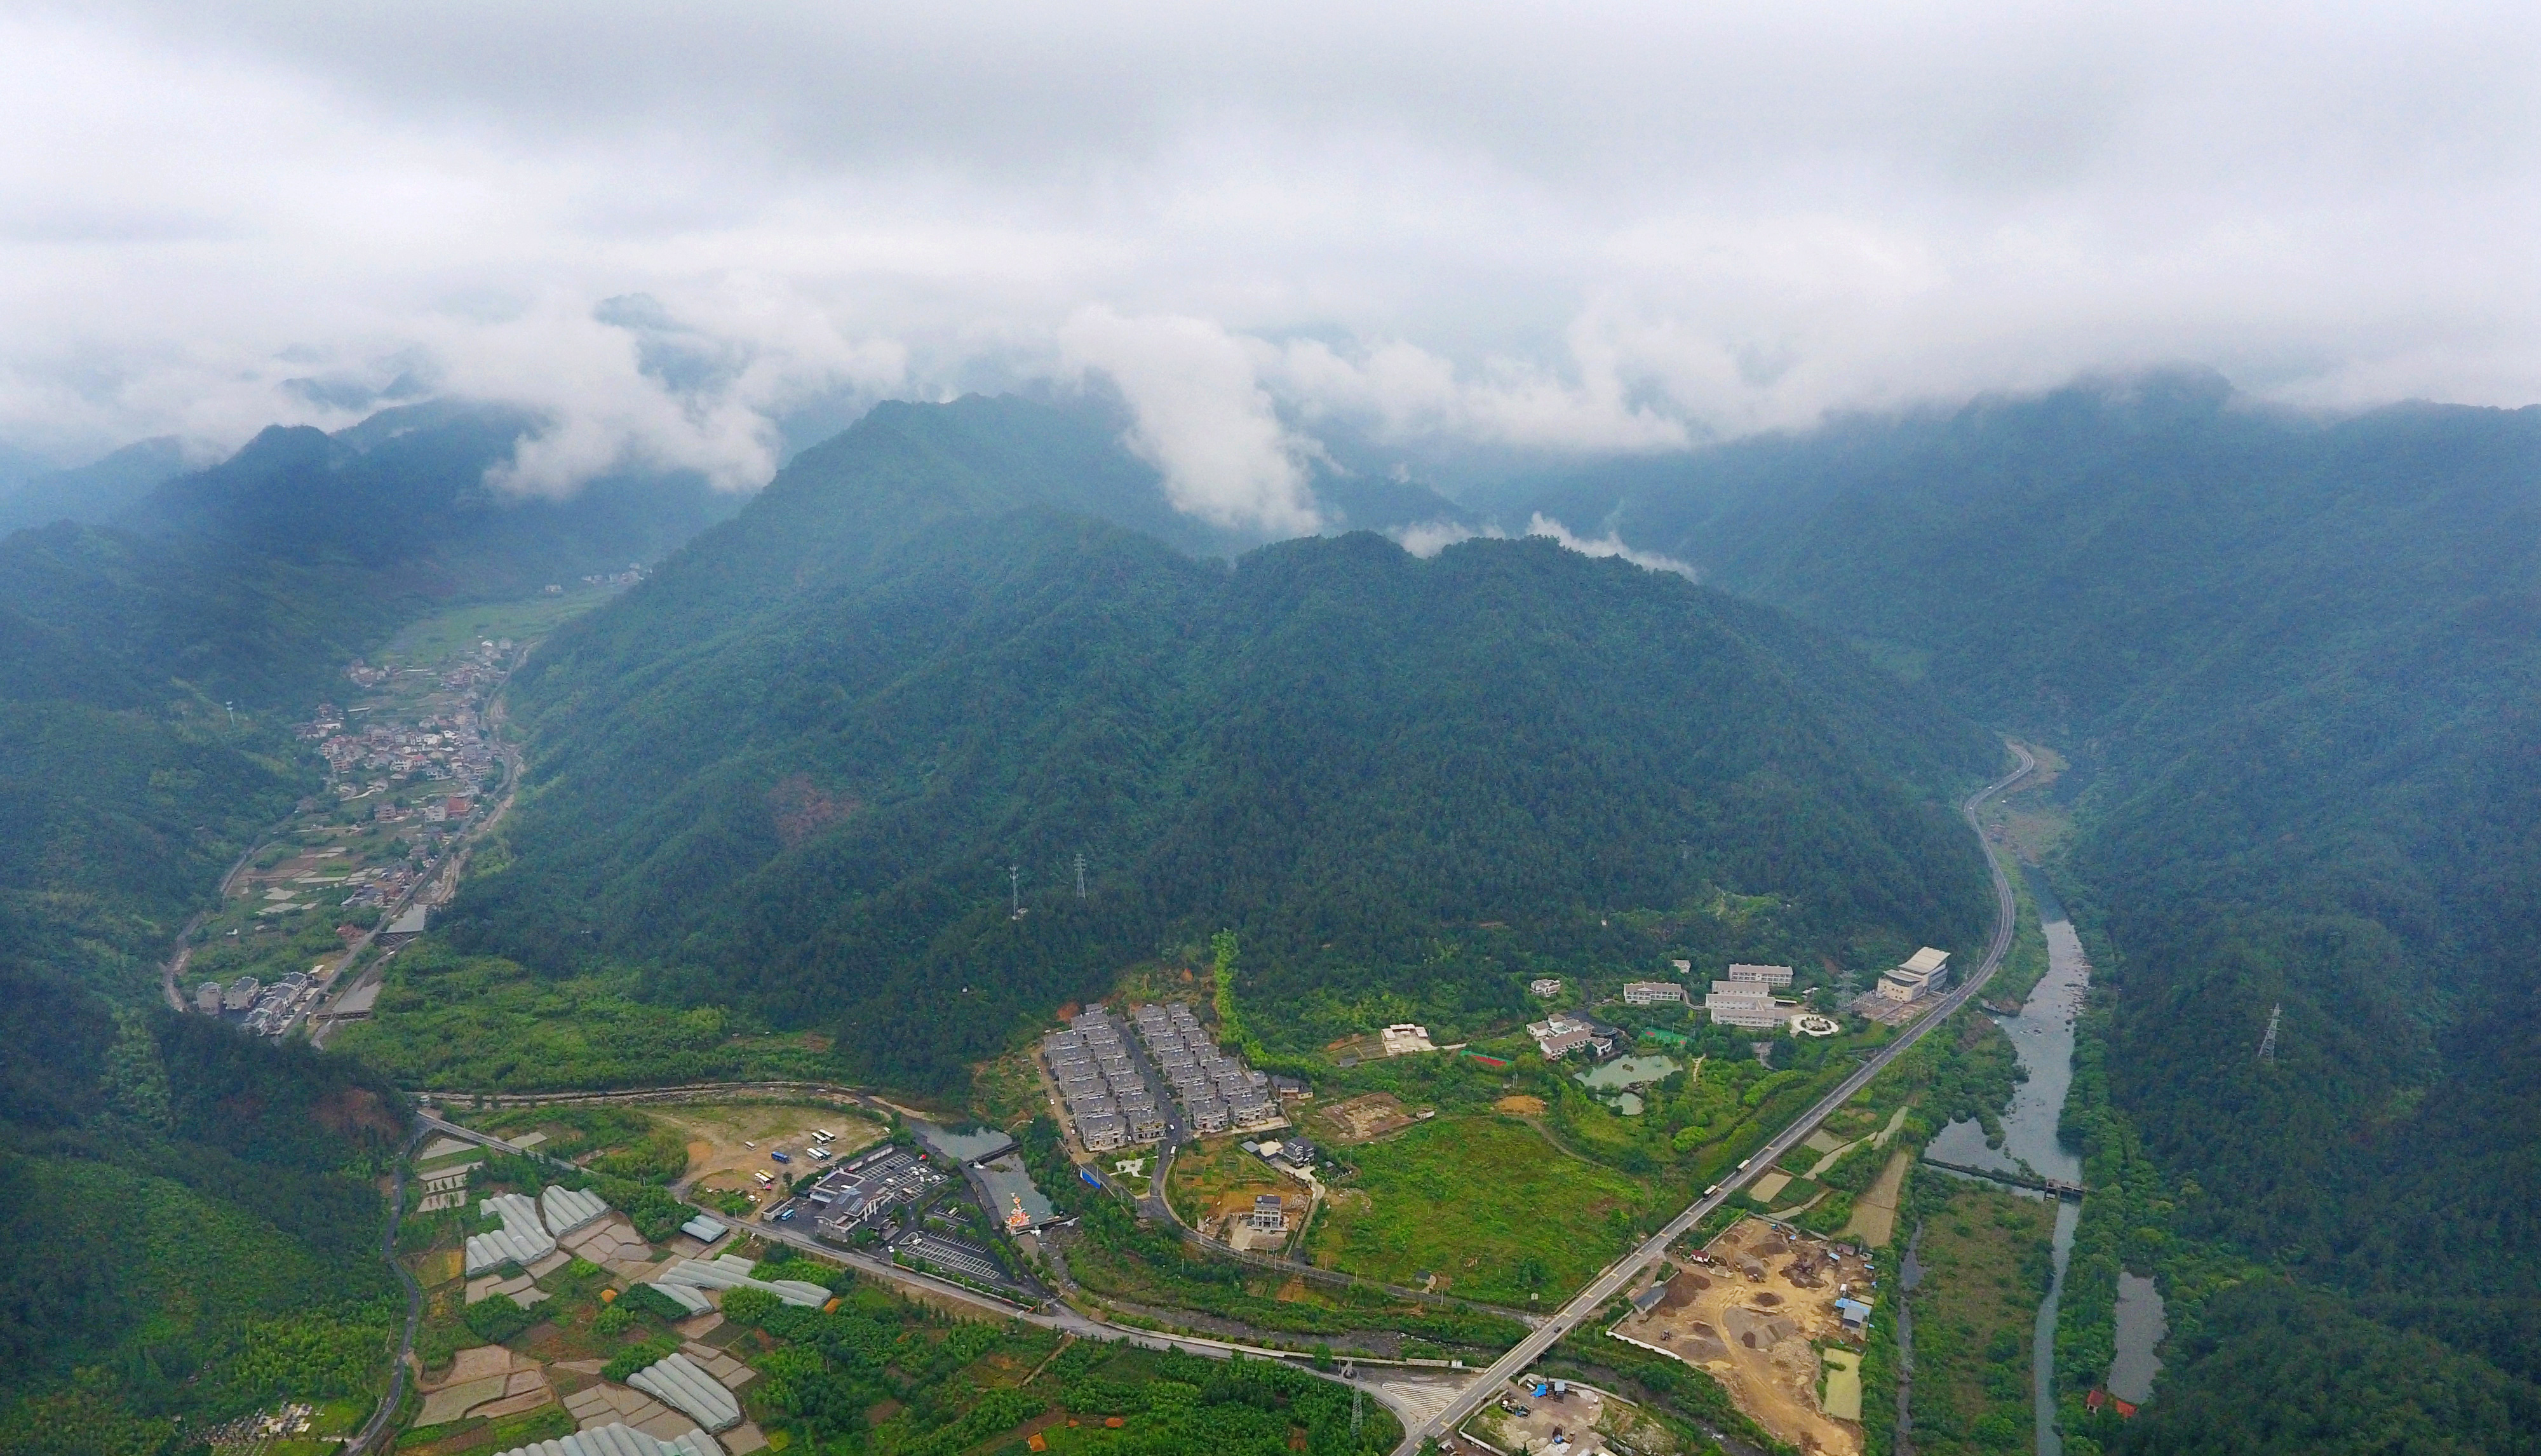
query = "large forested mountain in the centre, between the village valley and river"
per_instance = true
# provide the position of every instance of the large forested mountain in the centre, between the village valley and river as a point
(789, 771)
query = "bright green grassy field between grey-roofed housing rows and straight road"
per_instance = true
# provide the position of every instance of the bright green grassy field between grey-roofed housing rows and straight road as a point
(1483, 1203)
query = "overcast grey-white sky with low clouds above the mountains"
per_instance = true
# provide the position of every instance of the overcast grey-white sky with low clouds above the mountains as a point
(1559, 227)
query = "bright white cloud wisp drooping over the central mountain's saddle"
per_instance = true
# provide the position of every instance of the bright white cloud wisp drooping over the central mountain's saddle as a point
(1203, 418)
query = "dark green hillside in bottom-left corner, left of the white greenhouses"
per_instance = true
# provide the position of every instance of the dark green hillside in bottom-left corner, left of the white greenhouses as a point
(184, 1216)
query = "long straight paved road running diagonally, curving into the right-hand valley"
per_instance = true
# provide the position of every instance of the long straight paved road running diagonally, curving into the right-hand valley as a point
(1628, 1269)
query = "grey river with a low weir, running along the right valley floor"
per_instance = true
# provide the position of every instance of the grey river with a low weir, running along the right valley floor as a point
(2044, 1043)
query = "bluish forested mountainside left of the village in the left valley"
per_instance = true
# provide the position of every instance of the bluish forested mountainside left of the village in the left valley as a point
(126, 779)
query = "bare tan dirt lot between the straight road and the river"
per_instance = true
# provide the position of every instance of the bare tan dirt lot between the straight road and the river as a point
(1755, 1320)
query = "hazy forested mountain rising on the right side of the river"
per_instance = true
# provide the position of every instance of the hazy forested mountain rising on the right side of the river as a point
(2296, 662)
